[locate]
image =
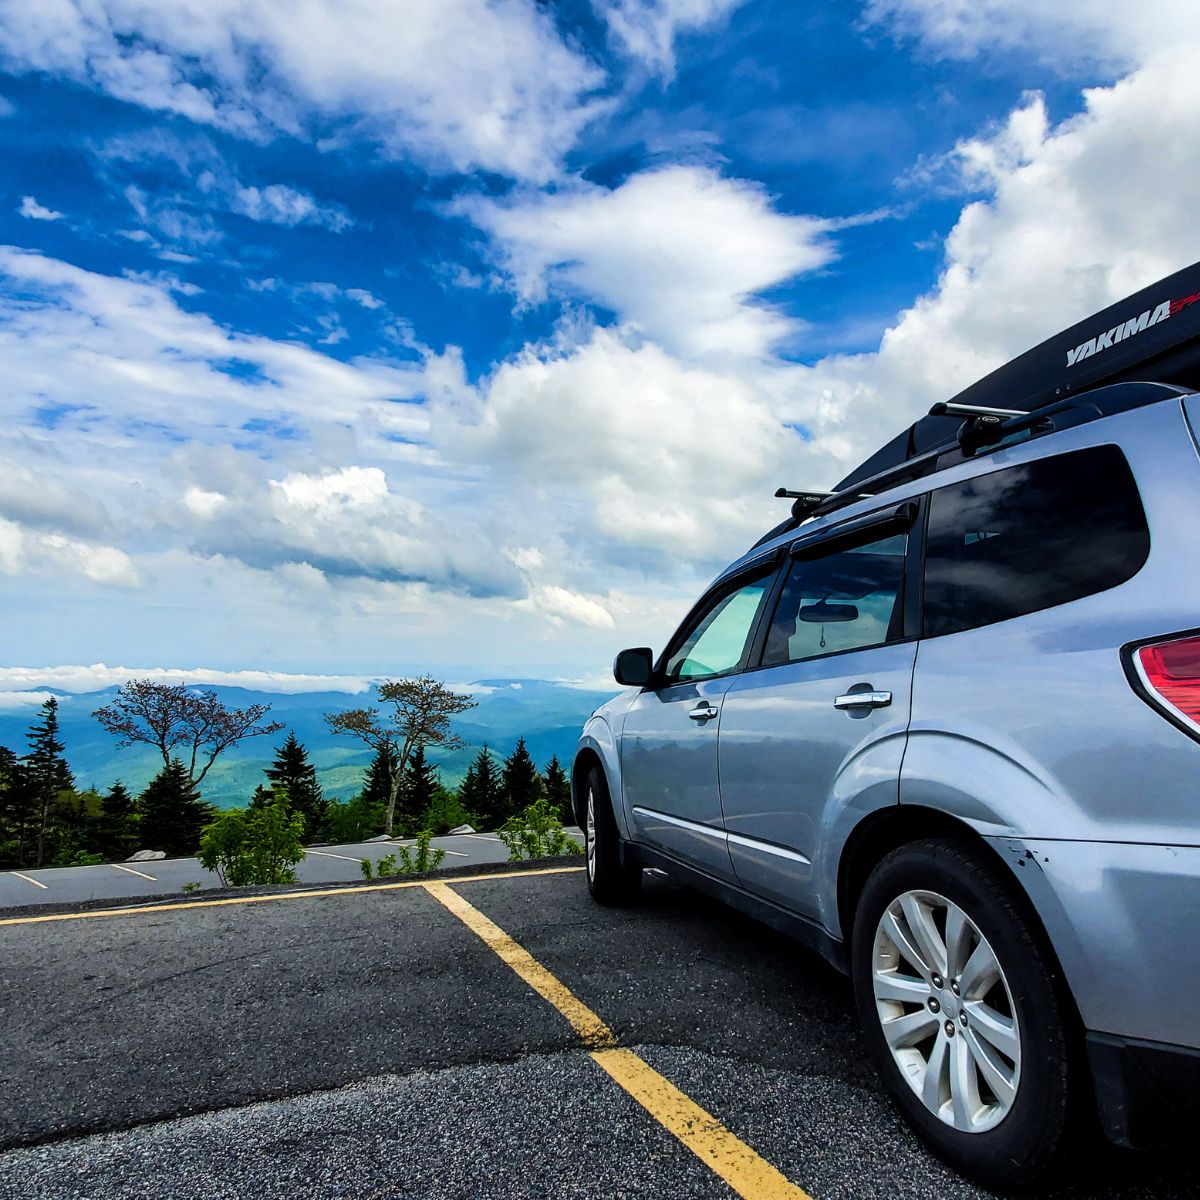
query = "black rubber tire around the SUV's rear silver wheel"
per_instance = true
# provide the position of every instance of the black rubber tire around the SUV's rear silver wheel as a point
(1030, 1137)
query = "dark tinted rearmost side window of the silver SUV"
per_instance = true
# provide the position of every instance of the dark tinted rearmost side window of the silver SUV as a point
(1031, 537)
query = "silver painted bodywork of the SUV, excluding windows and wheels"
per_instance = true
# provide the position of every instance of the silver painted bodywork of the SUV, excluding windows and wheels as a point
(1029, 731)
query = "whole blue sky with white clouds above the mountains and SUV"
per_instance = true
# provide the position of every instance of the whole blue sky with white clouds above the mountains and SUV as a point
(475, 337)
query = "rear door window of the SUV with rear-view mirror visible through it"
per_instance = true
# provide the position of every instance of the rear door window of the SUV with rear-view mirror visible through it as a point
(847, 601)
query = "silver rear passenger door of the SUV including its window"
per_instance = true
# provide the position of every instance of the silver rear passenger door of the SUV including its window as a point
(821, 723)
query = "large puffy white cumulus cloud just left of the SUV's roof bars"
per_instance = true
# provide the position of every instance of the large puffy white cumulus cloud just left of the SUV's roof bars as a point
(631, 447)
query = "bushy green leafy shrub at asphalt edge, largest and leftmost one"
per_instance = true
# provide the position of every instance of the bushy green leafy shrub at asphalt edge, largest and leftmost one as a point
(262, 847)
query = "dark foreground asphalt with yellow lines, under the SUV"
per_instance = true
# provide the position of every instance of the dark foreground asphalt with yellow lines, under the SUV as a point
(485, 1036)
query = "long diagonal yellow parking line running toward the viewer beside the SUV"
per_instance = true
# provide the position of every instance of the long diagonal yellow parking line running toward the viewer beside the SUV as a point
(746, 1172)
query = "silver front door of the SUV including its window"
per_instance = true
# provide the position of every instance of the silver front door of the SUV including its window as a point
(669, 737)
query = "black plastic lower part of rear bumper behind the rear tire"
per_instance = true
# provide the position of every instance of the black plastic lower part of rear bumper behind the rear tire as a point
(1148, 1093)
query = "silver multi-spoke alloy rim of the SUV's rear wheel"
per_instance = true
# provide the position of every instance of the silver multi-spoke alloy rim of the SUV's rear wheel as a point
(946, 1011)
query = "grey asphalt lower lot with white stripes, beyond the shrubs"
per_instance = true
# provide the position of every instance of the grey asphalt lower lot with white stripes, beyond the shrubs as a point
(321, 865)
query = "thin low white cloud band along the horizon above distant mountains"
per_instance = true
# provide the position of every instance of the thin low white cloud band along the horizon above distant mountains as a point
(98, 677)
